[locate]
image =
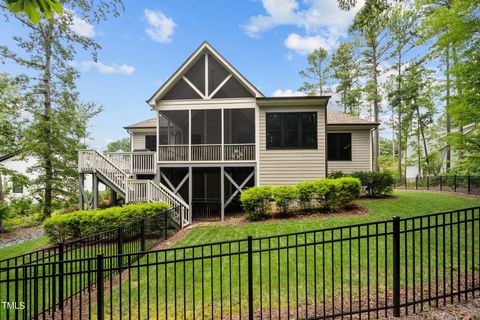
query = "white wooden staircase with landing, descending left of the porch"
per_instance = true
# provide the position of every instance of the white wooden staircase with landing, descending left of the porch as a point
(132, 190)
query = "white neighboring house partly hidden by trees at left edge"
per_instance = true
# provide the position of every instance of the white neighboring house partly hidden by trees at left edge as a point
(16, 188)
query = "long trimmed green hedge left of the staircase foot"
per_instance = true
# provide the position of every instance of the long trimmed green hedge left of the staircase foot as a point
(83, 223)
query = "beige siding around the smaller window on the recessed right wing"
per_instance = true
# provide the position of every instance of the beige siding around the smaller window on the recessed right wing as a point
(361, 152)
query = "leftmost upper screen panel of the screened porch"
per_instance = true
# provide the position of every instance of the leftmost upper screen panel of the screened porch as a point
(173, 128)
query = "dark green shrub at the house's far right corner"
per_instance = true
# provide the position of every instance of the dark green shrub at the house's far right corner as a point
(375, 183)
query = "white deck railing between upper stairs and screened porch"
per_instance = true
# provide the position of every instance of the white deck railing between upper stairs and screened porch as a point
(134, 162)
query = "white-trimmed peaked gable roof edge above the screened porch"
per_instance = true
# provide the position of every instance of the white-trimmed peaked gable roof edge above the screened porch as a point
(205, 47)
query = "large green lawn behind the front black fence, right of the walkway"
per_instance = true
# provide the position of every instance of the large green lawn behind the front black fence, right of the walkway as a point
(296, 277)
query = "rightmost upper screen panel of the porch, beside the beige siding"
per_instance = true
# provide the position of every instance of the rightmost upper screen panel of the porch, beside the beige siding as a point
(239, 126)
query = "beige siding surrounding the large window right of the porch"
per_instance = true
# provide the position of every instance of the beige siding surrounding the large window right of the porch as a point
(287, 167)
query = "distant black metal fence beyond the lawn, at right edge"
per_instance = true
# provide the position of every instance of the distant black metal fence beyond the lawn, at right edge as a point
(455, 183)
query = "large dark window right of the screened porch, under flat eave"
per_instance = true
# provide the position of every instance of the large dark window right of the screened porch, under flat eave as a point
(292, 130)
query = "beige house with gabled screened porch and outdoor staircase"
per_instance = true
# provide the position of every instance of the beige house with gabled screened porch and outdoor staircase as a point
(215, 134)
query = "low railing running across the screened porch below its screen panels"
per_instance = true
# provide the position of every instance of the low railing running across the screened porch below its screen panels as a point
(207, 152)
